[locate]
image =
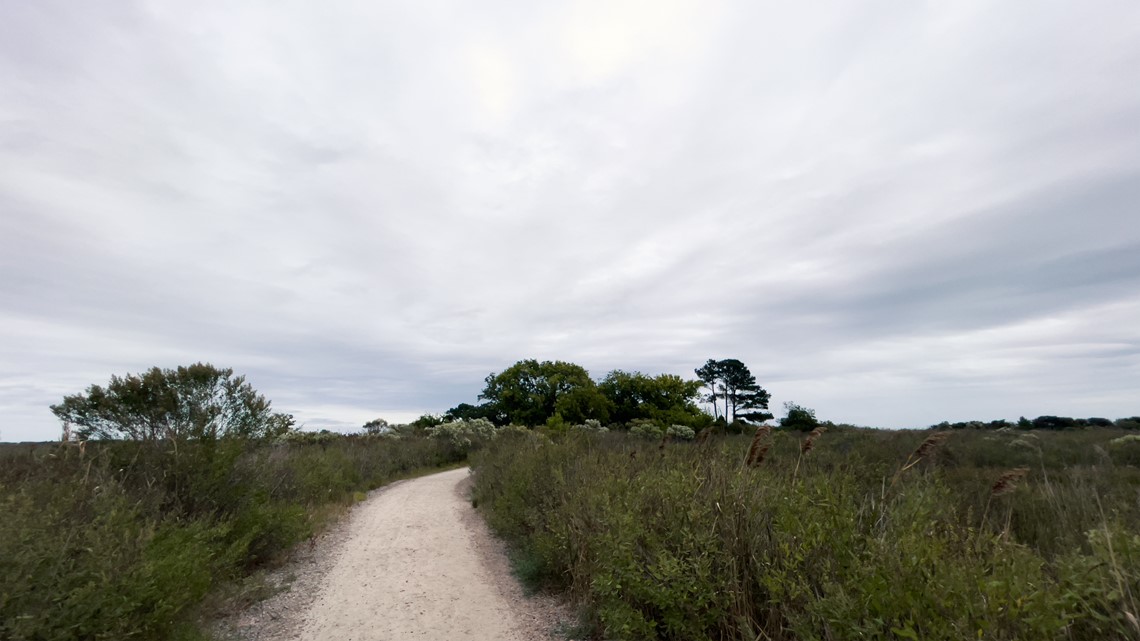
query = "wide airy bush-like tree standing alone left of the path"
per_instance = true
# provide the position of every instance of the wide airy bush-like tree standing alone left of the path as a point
(197, 402)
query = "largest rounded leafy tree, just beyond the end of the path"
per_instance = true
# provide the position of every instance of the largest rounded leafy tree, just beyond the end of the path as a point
(531, 393)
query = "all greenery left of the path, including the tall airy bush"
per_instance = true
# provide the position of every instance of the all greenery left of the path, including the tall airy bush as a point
(124, 539)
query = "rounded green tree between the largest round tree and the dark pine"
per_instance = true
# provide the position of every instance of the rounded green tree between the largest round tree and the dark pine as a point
(666, 399)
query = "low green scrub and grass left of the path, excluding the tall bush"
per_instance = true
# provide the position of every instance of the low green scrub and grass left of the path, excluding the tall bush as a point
(123, 541)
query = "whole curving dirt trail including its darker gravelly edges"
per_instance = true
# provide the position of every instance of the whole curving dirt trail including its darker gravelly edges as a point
(413, 562)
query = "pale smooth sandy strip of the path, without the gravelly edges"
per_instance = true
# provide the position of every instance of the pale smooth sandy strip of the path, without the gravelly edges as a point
(412, 566)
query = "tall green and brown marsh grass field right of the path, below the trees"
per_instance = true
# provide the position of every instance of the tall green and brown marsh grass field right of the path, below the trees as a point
(818, 542)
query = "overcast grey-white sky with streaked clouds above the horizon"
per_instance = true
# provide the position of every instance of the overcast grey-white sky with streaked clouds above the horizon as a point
(895, 214)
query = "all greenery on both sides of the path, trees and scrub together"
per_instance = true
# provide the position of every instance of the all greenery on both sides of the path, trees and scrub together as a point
(629, 496)
